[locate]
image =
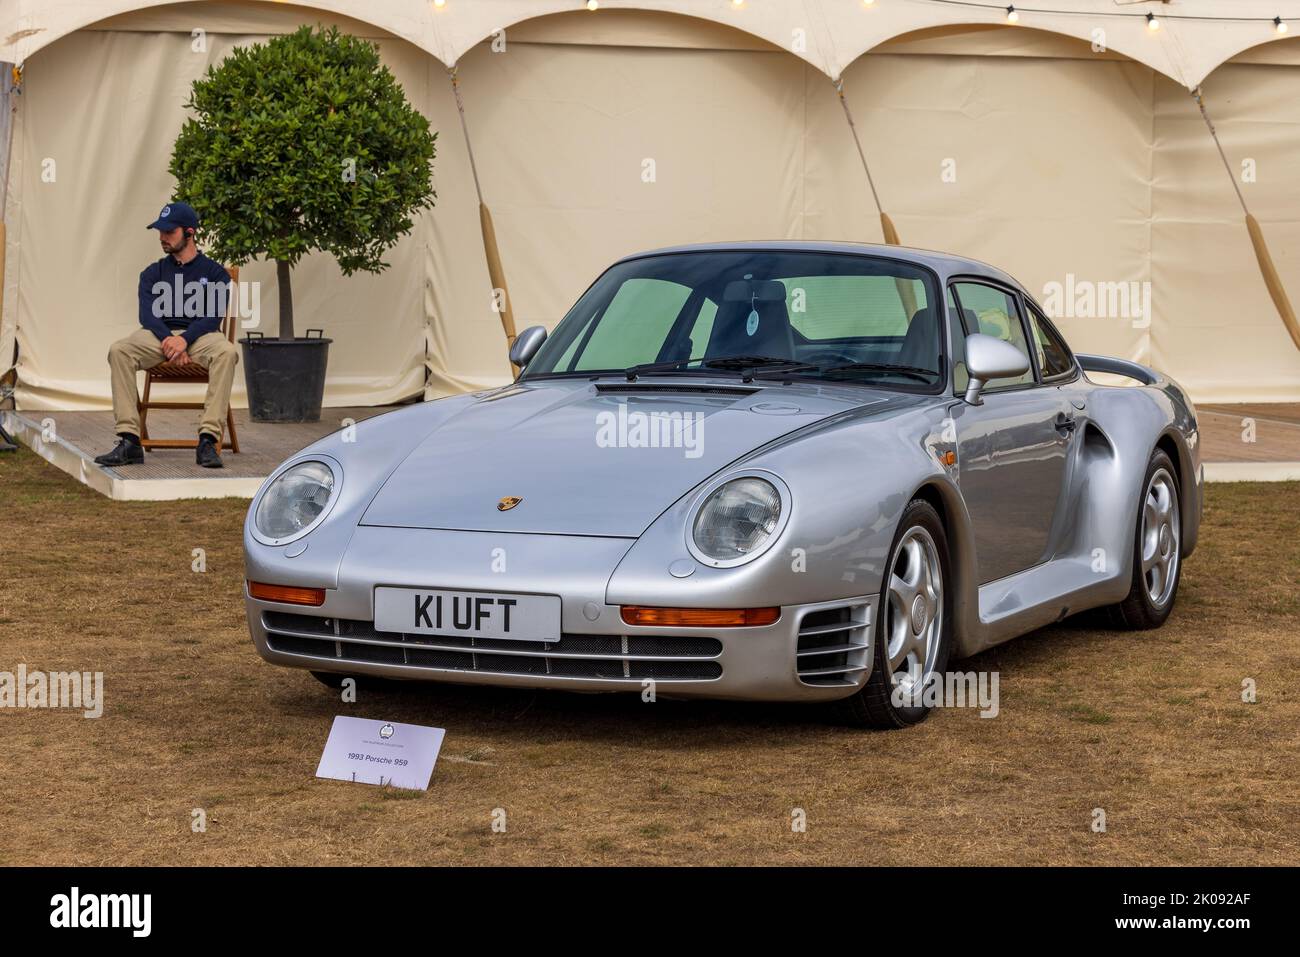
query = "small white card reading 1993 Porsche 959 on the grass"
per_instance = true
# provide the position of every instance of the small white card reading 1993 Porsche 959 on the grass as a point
(371, 752)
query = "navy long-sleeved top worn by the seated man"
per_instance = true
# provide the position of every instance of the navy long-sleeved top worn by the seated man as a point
(185, 300)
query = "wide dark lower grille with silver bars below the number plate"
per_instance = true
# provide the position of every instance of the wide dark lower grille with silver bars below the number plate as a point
(609, 657)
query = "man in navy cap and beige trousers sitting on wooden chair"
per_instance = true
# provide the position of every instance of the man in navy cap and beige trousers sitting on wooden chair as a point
(181, 313)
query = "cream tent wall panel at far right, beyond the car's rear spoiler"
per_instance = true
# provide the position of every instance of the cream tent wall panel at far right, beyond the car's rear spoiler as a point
(1216, 328)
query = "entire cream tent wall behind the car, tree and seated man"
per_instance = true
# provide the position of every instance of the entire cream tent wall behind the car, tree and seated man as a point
(747, 144)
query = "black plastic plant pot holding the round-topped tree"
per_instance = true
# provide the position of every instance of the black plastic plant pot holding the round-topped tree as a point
(285, 378)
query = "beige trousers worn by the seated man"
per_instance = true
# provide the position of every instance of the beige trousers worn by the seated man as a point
(142, 350)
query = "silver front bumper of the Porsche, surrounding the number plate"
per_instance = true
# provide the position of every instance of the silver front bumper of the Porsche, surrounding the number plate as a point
(816, 652)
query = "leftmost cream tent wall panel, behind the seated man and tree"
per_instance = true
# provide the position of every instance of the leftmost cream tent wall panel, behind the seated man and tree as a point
(96, 115)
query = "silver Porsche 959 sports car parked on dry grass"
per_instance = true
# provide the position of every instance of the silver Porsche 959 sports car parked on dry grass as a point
(766, 471)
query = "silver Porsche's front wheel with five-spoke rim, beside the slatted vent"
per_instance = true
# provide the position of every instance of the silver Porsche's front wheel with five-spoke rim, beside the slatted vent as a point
(913, 629)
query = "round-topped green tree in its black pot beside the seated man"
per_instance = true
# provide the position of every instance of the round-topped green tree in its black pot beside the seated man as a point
(306, 142)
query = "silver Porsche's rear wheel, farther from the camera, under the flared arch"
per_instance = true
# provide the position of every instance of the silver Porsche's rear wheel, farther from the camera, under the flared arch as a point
(1158, 566)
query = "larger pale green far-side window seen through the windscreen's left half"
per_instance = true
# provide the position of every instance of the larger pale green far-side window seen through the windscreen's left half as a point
(635, 324)
